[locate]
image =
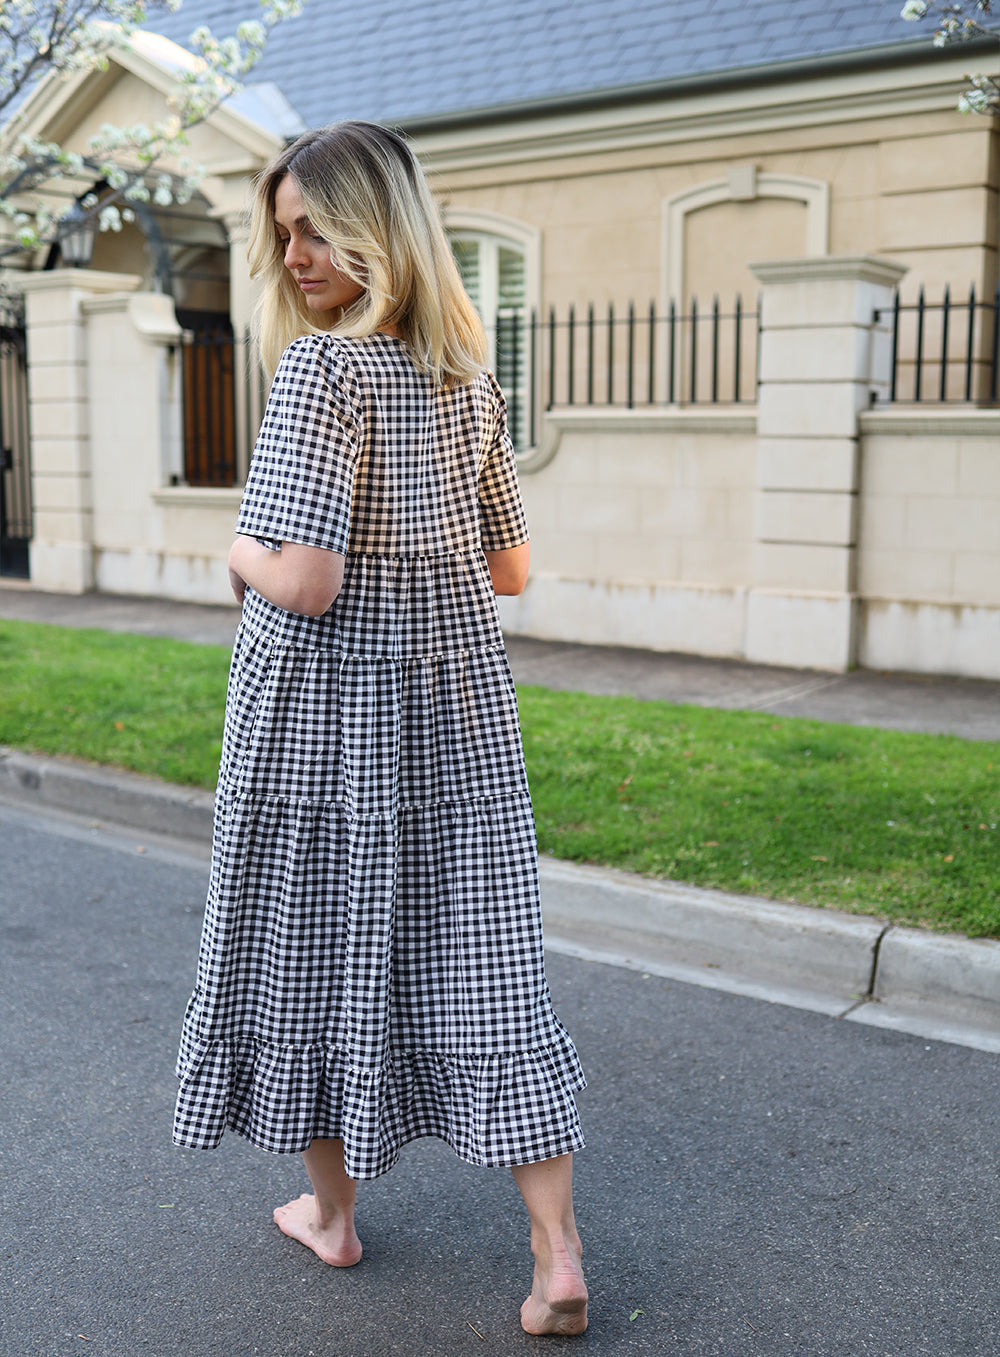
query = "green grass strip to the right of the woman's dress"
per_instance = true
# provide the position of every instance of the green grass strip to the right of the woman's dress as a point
(873, 822)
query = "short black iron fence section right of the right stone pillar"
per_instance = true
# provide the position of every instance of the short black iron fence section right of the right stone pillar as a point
(946, 351)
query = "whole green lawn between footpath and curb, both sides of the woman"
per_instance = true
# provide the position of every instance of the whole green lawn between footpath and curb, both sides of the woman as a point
(893, 824)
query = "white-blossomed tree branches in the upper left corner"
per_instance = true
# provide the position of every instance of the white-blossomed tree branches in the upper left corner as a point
(138, 164)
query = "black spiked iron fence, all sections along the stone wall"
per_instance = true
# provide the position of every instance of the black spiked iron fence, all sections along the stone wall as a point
(945, 351)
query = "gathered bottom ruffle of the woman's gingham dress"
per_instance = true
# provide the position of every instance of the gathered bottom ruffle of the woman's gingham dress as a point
(493, 1111)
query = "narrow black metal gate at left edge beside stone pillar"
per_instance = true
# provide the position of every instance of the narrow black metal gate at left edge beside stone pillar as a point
(16, 467)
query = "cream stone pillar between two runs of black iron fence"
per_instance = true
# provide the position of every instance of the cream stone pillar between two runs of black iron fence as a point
(820, 359)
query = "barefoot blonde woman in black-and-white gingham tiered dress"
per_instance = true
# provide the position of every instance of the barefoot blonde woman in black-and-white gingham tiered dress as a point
(371, 966)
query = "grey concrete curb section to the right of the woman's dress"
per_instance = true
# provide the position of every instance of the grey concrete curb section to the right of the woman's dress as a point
(853, 967)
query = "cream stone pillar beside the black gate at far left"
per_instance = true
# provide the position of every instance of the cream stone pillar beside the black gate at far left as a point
(62, 553)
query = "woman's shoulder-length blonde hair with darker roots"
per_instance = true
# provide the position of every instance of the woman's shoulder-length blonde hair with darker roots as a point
(366, 193)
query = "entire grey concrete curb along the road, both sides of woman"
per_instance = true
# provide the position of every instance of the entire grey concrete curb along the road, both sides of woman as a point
(847, 966)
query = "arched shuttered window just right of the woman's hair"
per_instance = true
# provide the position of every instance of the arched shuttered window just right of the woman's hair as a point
(499, 265)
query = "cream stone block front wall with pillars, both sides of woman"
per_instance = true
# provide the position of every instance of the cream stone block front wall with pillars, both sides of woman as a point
(807, 531)
